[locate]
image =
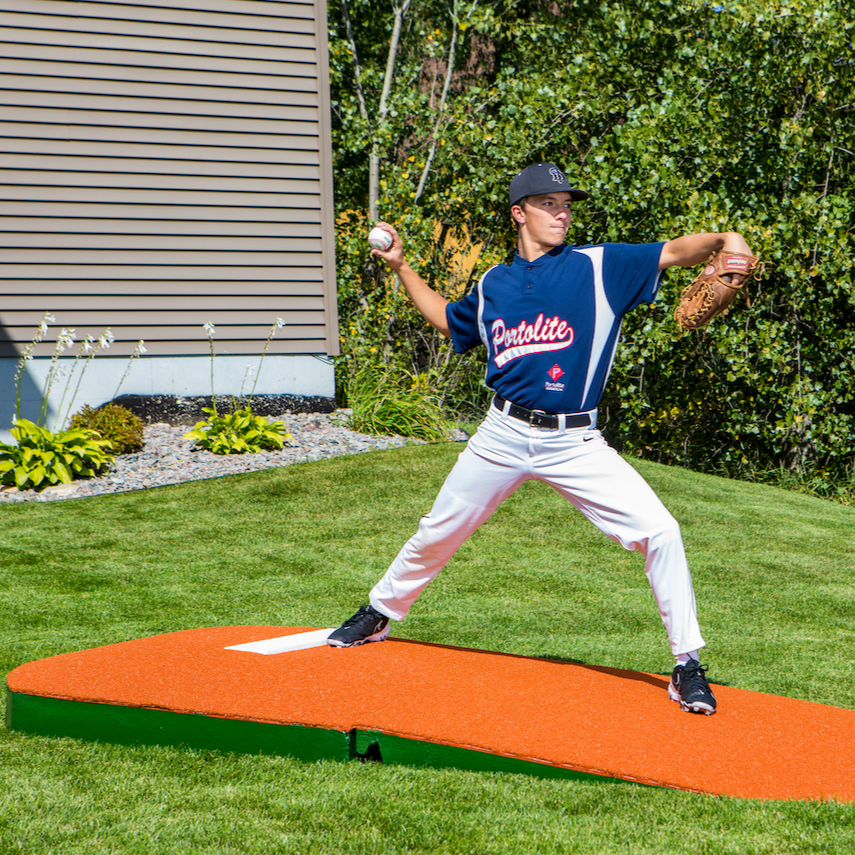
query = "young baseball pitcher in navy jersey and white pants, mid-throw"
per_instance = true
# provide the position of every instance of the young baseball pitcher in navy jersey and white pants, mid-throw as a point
(550, 322)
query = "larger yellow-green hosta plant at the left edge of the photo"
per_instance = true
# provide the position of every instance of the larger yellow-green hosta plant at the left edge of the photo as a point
(42, 458)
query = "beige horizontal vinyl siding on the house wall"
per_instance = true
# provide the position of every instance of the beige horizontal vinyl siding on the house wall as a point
(164, 165)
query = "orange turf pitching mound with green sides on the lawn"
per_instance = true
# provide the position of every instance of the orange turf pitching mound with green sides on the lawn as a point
(434, 705)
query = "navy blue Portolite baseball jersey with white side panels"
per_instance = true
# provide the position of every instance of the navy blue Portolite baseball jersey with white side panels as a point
(551, 326)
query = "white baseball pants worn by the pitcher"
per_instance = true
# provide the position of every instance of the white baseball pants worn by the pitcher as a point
(584, 469)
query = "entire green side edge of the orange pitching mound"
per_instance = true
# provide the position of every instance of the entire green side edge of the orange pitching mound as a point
(123, 725)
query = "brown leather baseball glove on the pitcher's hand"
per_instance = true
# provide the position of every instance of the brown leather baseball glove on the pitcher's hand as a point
(714, 288)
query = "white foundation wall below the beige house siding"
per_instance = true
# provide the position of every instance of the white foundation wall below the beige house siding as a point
(108, 377)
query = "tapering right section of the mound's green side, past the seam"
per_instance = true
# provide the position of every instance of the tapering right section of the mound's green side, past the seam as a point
(406, 751)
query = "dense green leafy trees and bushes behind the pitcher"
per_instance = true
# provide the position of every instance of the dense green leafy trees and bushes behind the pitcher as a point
(677, 118)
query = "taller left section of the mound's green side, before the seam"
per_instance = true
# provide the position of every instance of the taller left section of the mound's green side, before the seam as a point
(41, 716)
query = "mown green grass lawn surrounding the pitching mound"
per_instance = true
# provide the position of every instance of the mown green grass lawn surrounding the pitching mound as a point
(301, 546)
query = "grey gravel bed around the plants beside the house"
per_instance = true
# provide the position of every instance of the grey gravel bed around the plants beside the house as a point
(167, 458)
